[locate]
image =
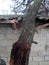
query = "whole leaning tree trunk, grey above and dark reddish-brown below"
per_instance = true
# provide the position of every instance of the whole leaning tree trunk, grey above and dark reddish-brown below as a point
(21, 49)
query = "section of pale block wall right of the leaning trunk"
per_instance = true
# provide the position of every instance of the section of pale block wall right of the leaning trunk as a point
(39, 54)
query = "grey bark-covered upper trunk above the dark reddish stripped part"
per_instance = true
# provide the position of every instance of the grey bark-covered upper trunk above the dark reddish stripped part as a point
(29, 27)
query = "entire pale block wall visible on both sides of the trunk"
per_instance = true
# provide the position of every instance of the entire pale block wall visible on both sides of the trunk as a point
(39, 54)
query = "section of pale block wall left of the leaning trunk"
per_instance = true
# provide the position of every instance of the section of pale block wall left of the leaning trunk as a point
(7, 37)
